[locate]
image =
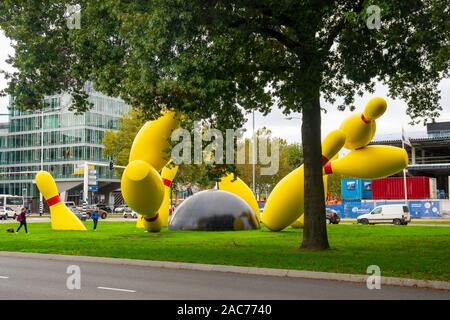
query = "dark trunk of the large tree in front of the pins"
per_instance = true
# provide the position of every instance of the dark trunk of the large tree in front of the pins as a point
(315, 229)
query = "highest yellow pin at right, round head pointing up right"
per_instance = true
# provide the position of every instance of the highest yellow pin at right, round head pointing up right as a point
(360, 128)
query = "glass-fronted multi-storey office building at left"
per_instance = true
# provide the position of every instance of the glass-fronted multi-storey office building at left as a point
(65, 140)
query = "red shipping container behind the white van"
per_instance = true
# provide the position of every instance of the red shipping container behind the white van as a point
(393, 188)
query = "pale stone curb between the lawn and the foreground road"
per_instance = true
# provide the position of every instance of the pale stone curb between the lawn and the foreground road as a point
(389, 281)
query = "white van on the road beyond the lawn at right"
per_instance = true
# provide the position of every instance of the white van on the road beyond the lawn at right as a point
(391, 213)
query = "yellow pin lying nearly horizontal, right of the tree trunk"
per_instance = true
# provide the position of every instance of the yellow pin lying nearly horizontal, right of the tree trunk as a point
(371, 162)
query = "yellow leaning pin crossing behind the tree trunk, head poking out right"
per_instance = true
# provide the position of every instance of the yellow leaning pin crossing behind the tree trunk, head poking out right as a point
(285, 203)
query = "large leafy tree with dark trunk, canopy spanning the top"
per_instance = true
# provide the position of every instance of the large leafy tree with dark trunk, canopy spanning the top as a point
(210, 58)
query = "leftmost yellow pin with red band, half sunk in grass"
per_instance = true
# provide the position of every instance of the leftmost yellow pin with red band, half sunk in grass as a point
(60, 216)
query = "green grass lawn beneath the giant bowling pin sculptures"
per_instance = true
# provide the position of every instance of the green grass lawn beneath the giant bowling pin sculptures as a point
(419, 252)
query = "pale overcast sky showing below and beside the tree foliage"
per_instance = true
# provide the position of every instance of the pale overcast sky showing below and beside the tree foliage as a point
(391, 123)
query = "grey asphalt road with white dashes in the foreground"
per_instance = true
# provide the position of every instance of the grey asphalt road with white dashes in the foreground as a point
(31, 278)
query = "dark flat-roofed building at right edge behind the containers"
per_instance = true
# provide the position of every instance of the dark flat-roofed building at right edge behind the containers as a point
(429, 154)
